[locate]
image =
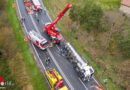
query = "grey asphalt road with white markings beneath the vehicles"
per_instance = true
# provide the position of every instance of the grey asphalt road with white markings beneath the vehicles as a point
(58, 62)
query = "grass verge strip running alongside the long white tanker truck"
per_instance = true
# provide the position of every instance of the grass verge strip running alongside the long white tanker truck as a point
(98, 69)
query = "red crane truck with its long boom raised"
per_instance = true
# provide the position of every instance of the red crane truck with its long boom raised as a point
(51, 29)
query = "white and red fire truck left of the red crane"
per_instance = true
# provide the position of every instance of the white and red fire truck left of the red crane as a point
(38, 40)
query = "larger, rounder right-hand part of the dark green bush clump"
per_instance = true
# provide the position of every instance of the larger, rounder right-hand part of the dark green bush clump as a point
(90, 17)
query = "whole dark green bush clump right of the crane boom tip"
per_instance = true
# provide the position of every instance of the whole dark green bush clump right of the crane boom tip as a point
(89, 16)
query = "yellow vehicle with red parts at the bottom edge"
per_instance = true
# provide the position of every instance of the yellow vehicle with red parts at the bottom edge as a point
(55, 80)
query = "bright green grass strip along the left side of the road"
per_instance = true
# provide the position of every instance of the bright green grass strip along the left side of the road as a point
(35, 77)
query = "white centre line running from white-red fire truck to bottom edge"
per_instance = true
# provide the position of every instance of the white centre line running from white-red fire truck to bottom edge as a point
(72, 88)
